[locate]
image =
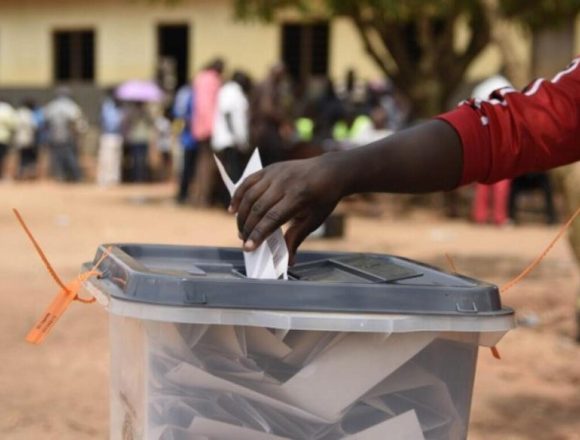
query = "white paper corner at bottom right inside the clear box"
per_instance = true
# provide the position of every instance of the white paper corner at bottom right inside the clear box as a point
(403, 427)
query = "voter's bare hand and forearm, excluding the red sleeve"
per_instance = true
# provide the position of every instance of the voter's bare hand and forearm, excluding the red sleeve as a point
(422, 159)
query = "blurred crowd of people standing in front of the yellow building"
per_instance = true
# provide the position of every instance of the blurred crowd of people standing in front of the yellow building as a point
(147, 133)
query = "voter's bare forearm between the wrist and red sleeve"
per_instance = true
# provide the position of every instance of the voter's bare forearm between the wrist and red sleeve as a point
(424, 158)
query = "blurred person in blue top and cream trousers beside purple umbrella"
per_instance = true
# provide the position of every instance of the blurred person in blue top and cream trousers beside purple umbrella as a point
(110, 142)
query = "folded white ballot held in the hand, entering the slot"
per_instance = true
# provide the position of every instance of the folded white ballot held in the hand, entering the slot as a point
(270, 260)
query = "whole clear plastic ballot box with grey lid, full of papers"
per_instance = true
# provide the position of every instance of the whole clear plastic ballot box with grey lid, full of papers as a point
(349, 347)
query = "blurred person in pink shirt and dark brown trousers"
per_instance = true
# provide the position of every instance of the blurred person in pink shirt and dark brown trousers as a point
(206, 87)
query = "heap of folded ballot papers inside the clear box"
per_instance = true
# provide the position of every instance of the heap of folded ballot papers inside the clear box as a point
(225, 382)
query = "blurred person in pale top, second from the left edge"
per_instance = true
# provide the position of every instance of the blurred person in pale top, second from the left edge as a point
(25, 140)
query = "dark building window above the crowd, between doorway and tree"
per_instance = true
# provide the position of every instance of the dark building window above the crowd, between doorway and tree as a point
(305, 49)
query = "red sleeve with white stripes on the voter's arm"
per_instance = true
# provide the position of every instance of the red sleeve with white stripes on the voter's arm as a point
(514, 132)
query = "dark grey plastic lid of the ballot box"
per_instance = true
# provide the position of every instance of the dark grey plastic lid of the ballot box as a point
(319, 281)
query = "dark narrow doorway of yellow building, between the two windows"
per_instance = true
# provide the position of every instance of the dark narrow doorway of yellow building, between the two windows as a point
(173, 53)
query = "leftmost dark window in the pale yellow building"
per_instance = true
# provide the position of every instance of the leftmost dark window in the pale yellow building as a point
(74, 55)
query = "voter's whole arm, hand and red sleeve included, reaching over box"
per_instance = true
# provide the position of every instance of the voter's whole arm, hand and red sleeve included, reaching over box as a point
(487, 141)
